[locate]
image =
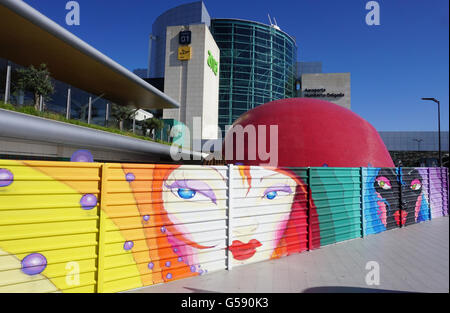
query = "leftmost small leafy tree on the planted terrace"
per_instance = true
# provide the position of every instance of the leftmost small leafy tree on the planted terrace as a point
(35, 80)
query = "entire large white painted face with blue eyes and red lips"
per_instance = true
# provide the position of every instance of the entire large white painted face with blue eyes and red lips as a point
(254, 236)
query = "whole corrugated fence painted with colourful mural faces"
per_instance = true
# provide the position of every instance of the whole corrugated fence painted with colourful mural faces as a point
(92, 227)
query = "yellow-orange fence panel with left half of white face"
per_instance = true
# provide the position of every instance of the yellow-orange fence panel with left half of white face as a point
(162, 222)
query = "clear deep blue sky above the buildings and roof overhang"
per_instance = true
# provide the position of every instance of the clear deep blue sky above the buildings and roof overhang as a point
(392, 65)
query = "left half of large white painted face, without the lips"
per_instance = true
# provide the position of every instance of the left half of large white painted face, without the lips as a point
(186, 198)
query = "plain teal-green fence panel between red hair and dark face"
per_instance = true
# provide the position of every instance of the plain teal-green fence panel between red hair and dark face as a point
(337, 197)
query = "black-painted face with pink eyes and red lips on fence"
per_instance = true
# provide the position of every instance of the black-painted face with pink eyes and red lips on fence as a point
(387, 186)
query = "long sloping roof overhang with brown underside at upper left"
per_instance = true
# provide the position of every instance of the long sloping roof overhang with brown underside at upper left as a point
(28, 37)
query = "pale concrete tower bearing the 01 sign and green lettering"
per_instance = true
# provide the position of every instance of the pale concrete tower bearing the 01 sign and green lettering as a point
(192, 83)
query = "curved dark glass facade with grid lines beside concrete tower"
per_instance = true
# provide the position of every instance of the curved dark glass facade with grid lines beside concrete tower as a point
(257, 65)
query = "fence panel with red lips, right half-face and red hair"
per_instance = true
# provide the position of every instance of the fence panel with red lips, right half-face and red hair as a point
(269, 213)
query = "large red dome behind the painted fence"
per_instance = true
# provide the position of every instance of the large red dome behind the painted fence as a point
(314, 133)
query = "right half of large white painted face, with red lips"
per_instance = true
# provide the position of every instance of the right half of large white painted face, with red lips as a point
(255, 236)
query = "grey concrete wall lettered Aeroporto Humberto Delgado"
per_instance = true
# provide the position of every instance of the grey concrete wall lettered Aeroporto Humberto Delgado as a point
(324, 85)
